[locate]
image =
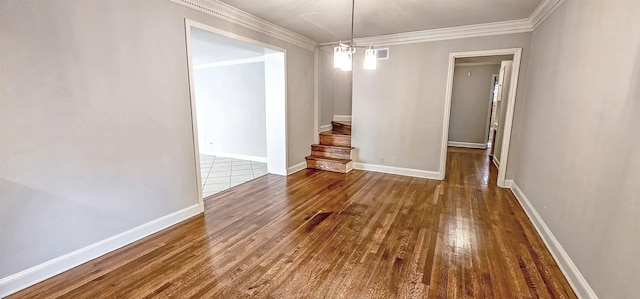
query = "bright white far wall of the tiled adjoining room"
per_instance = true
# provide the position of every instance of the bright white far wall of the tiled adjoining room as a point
(230, 103)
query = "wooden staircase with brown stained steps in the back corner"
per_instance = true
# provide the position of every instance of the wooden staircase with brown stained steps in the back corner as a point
(334, 151)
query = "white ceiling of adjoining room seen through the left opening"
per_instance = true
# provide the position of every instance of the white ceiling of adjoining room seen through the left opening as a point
(208, 47)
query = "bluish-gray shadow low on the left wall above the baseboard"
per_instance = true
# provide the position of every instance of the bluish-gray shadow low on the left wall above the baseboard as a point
(36, 226)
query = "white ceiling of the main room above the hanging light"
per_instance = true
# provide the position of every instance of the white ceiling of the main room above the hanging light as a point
(330, 20)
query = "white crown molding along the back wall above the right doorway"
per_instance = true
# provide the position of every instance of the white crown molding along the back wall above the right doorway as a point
(539, 15)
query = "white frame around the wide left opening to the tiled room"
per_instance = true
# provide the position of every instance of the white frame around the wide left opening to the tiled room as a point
(276, 103)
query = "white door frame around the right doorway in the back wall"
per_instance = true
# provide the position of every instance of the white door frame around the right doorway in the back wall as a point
(511, 101)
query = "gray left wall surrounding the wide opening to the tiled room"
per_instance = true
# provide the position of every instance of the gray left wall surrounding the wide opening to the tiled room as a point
(95, 121)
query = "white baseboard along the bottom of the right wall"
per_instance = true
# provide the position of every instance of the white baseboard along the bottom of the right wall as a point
(579, 284)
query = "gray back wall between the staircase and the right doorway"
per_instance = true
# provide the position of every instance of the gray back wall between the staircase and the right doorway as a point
(398, 110)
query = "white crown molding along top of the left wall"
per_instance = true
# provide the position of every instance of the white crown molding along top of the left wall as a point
(236, 16)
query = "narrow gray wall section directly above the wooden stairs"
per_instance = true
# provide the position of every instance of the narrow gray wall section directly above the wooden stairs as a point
(334, 88)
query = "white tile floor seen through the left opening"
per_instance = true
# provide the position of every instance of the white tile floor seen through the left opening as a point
(219, 173)
